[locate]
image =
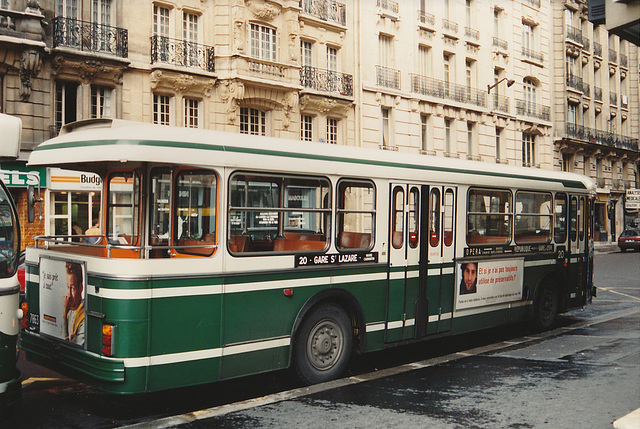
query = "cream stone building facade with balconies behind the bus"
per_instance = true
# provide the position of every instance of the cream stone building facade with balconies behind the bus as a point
(482, 80)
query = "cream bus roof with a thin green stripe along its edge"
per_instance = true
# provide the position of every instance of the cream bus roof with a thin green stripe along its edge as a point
(98, 144)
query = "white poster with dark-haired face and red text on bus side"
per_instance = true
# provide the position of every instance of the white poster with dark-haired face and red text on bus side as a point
(489, 282)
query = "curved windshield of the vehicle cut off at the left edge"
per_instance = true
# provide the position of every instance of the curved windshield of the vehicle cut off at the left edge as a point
(9, 235)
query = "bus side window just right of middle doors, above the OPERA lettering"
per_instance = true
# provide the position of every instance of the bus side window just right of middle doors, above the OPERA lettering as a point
(489, 217)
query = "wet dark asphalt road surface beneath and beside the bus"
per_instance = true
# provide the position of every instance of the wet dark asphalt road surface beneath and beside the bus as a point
(584, 374)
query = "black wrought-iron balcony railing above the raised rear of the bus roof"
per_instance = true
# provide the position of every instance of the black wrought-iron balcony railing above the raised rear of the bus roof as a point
(90, 36)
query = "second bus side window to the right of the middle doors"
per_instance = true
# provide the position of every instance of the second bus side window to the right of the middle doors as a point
(533, 217)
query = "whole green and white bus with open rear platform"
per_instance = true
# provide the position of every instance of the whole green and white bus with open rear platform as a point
(221, 255)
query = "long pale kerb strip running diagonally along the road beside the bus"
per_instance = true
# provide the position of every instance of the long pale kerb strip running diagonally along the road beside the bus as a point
(273, 398)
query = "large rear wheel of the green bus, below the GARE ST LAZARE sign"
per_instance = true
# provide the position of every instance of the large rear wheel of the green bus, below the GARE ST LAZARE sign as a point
(323, 345)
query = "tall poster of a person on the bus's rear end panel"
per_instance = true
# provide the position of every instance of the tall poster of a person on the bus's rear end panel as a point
(62, 300)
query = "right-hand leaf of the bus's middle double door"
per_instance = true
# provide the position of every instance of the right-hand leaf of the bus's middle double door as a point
(438, 251)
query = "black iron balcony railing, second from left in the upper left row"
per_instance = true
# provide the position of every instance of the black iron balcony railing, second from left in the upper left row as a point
(182, 53)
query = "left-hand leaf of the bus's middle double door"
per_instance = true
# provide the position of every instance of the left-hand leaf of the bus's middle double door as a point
(404, 255)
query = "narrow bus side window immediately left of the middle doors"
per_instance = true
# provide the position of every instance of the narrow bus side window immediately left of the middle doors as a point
(355, 218)
